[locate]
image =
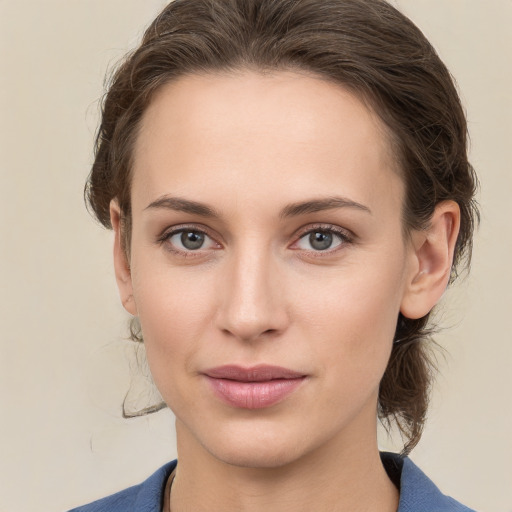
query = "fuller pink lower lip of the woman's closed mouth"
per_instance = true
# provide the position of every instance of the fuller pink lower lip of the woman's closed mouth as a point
(253, 395)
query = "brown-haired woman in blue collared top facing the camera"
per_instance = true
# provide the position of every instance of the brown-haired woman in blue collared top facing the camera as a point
(290, 194)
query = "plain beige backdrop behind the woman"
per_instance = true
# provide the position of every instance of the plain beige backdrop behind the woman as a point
(64, 367)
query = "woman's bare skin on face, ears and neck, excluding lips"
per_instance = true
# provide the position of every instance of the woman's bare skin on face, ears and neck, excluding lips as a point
(247, 146)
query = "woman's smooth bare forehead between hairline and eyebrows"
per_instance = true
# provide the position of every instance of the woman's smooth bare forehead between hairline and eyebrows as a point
(248, 130)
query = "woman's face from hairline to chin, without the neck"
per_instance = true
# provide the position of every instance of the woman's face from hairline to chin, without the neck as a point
(267, 262)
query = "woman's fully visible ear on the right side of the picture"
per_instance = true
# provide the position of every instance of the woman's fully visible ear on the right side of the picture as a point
(431, 261)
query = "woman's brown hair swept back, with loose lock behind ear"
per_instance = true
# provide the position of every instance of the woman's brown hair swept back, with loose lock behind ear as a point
(366, 46)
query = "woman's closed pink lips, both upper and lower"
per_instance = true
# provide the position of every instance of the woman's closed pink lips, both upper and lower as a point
(256, 387)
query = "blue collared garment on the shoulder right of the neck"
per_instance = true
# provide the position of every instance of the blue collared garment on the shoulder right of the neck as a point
(417, 492)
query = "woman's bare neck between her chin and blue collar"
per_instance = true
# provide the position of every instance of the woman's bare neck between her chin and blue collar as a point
(343, 477)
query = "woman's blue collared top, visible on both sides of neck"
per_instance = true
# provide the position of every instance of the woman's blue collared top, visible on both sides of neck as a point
(417, 492)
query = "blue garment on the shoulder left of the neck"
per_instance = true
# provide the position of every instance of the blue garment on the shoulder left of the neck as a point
(145, 497)
